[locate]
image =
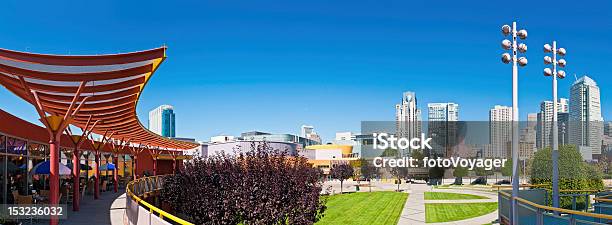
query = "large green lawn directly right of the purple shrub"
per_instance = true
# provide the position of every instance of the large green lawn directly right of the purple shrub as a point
(364, 208)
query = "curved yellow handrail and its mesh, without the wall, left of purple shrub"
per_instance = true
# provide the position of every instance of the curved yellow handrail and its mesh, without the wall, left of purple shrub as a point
(148, 186)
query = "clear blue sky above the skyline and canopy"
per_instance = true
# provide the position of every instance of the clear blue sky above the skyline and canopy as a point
(236, 66)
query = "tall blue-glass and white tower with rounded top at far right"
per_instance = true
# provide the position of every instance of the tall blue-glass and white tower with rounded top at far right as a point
(586, 122)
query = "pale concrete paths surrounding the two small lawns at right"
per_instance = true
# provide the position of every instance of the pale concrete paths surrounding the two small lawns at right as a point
(414, 209)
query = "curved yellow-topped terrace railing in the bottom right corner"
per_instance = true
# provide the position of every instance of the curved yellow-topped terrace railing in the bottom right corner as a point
(534, 213)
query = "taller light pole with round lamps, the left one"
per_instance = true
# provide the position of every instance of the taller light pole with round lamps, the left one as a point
(522, 61)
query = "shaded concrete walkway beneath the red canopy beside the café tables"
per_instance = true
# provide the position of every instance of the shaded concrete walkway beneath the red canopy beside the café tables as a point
(105, 210)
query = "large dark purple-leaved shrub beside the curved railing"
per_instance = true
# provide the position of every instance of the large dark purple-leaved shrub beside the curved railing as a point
(261, 186)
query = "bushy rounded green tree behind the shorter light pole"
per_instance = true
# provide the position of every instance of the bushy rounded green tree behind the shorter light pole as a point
(574, 173)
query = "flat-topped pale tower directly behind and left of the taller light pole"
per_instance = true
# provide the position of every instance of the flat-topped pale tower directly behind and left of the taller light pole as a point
(500, 131)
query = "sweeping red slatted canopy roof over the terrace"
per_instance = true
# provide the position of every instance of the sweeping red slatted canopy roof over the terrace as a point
(113, 84)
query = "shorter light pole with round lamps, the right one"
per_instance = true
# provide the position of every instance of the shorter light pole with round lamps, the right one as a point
(561, 74)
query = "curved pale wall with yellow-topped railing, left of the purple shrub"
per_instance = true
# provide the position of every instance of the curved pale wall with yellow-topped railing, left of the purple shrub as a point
(139, 211)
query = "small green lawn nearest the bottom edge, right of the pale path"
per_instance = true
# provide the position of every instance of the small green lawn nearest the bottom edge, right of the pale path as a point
(445, 212)
